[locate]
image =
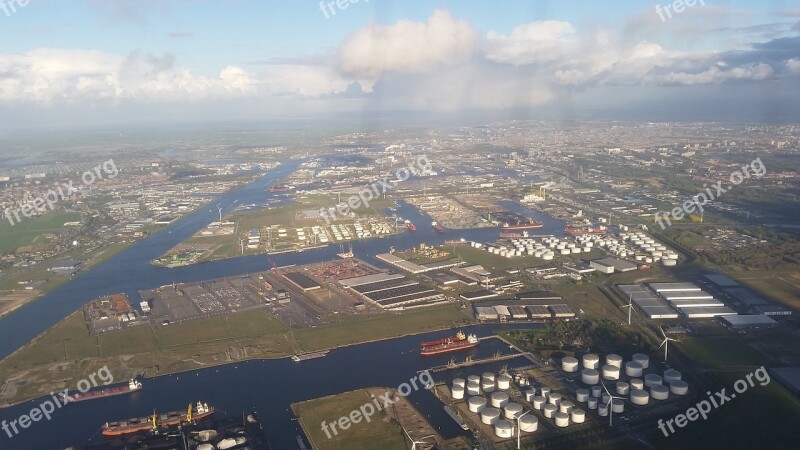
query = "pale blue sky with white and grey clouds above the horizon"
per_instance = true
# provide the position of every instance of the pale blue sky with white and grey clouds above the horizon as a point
(85, 63)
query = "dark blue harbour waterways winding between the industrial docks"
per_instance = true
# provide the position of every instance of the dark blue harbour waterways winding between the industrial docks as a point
(266, 386)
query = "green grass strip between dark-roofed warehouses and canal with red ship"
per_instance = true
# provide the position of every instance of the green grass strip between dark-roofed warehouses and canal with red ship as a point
(382, 327)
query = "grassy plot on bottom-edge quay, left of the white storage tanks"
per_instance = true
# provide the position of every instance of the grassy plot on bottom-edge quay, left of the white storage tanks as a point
(378, 433)
